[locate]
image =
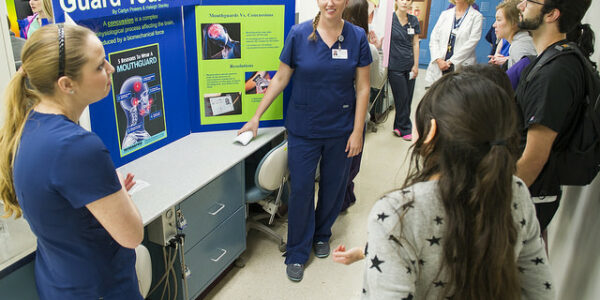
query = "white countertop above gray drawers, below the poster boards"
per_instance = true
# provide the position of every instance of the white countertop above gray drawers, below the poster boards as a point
(173, 173)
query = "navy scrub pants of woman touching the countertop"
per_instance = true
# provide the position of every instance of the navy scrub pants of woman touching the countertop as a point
(305, 224)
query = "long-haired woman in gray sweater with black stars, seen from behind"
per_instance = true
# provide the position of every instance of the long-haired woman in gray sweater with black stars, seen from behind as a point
(462, 227)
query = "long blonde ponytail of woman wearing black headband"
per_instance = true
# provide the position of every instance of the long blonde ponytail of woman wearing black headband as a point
(19, 100)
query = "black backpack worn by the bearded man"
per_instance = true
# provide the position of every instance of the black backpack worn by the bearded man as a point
(576, 160)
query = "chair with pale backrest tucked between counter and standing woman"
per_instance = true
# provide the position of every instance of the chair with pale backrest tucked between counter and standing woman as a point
(268, 190)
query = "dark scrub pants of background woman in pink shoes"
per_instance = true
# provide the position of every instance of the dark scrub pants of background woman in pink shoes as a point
(402, 89)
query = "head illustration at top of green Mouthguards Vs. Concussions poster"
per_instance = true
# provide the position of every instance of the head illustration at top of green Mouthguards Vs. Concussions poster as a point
(221, 41)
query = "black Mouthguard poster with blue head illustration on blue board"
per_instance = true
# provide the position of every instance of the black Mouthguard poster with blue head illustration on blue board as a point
(138, 97)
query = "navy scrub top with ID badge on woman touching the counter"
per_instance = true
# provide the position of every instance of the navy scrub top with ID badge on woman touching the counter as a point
(323, 97)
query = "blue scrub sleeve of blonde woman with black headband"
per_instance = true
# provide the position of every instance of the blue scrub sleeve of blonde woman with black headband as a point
(83, 171)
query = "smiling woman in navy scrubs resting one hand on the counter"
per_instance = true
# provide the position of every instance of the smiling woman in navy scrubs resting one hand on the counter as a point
(325, 59)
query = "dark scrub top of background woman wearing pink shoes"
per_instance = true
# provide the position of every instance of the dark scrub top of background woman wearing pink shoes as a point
(401, 47)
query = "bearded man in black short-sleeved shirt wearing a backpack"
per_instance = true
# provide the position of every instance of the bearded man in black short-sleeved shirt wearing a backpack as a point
(550, 100)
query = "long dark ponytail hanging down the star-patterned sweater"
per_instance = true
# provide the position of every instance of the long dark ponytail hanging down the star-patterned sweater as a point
(494, 233)
